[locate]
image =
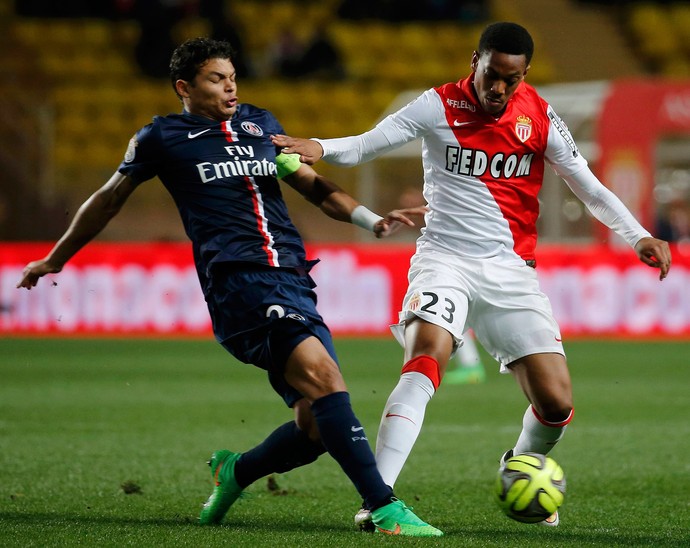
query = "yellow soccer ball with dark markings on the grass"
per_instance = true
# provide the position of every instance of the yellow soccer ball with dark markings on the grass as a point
(530, 487)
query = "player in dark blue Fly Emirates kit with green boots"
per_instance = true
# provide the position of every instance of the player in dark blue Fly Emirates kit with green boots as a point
(217, 161)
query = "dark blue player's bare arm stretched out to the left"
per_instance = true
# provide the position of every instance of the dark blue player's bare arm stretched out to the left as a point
(93, 215)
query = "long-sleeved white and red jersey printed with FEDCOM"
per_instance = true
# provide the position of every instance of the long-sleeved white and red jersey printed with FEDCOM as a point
(482, 174)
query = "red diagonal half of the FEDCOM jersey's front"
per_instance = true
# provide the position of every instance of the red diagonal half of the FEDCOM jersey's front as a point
(500, 139)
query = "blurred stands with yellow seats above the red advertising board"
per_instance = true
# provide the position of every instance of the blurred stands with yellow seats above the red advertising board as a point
(75, 93)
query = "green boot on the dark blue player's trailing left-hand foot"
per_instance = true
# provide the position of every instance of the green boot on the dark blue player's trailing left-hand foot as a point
(226, 491)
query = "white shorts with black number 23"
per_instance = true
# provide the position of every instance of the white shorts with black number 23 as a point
(501, 301)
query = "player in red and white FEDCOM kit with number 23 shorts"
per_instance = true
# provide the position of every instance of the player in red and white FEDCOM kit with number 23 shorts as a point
(485, 142)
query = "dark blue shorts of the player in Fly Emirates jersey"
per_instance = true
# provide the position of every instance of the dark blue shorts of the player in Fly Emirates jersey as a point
(261, 314)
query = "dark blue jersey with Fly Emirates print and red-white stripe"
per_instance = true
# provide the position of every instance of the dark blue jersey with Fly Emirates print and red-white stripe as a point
(222, 176)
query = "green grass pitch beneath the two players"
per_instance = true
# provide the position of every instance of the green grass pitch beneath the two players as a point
(80, 419)
